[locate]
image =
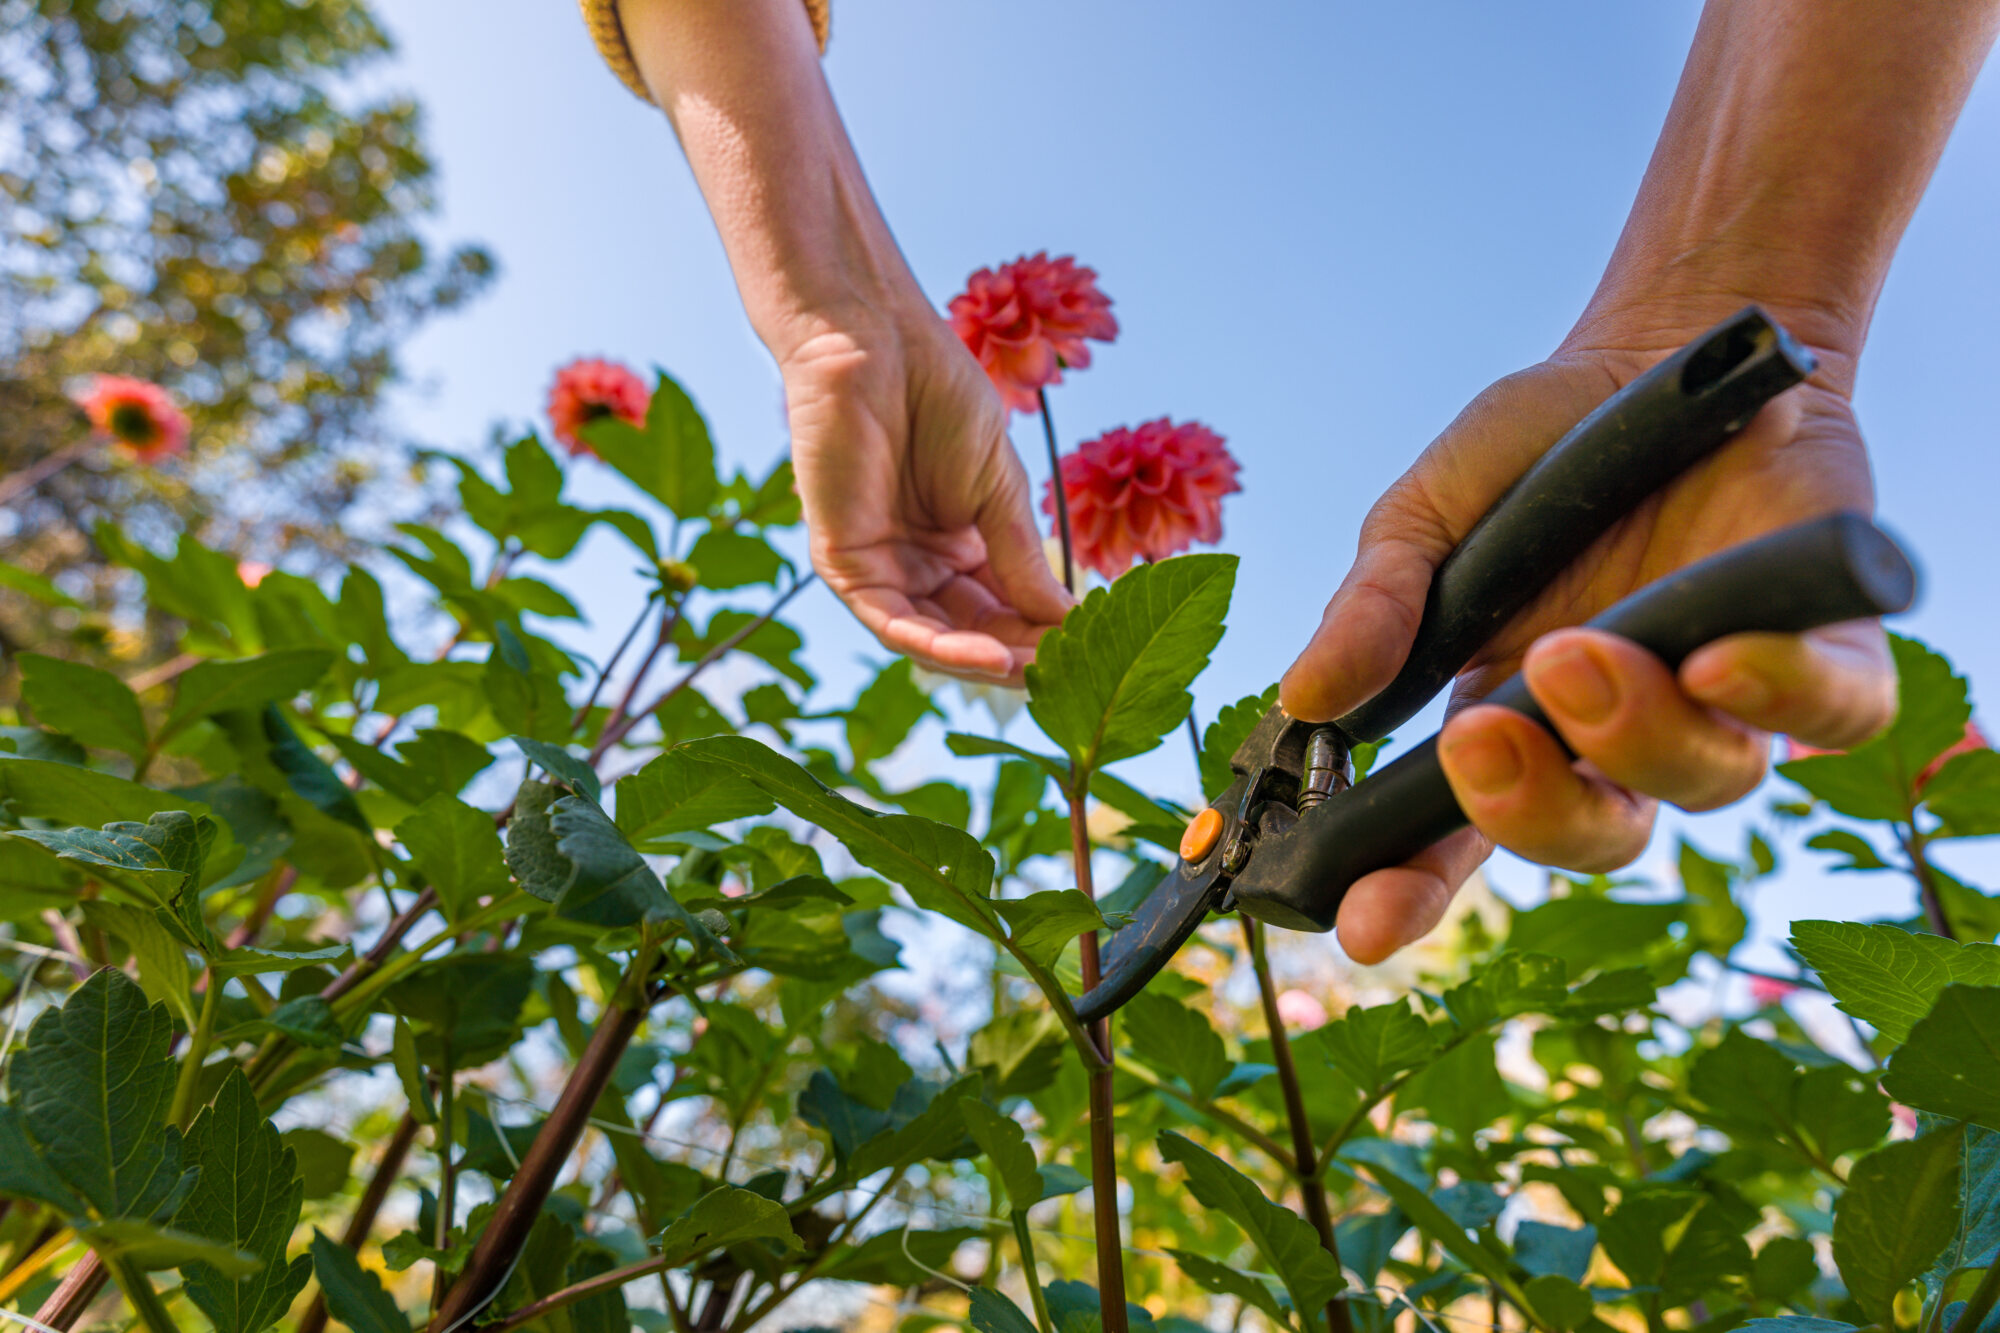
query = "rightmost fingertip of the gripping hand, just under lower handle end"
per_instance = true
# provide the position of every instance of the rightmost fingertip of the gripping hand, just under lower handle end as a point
(1833, 688)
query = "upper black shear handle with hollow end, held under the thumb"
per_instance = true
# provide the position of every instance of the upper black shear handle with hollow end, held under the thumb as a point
(1639, 441)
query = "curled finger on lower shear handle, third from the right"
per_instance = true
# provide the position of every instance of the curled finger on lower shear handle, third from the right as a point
(1519, 788)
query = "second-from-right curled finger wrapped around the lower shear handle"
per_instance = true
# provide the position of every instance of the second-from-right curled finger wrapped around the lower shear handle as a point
(1623, 710)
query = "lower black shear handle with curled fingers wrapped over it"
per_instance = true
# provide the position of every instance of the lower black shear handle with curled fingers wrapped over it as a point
(1791, 581)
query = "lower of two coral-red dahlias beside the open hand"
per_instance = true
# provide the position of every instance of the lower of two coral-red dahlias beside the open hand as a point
(1145, 493)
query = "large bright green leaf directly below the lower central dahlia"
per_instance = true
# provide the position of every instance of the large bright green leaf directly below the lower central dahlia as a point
(1113, 680)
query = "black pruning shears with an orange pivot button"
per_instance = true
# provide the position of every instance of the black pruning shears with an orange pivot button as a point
(1291, 834)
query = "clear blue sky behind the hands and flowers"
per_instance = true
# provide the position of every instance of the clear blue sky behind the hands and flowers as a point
(1325, 229)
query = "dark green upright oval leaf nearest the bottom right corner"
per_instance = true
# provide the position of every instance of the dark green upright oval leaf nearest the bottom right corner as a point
(1897, 1214)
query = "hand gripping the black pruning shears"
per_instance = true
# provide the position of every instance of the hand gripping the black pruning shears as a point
(1697, 738)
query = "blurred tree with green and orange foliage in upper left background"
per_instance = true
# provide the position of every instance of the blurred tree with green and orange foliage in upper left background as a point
(199, 193)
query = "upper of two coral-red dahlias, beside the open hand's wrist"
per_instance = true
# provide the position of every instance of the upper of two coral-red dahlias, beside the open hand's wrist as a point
(1029, 321)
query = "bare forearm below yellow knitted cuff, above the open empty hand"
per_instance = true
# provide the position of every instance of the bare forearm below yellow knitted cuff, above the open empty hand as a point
(743, 85)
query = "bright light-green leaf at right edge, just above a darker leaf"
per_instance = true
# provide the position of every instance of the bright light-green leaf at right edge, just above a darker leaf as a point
(1887, 976)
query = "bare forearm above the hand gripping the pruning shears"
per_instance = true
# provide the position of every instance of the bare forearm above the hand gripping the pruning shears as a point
(1795, 153)
